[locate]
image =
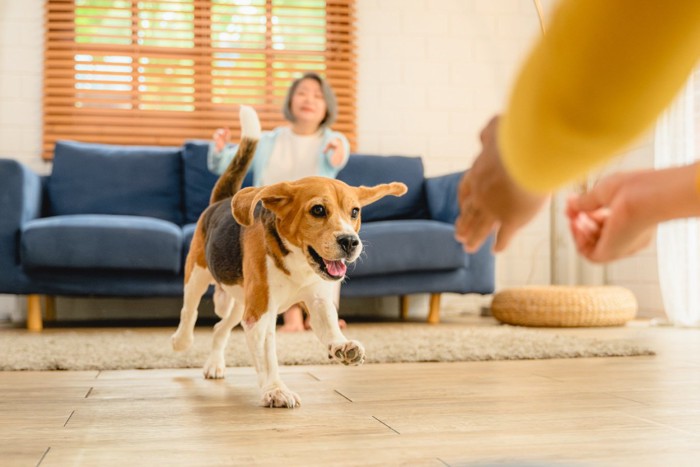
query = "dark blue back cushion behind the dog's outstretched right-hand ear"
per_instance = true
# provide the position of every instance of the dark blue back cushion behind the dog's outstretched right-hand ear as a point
(372, 170)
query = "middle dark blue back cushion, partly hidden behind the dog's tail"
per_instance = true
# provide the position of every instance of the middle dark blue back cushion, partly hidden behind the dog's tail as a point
(198, 180)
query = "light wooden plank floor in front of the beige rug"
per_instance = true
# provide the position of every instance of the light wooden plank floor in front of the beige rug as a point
(602, 411)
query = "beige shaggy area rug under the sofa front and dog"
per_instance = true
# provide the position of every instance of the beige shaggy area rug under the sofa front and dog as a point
(146, 348)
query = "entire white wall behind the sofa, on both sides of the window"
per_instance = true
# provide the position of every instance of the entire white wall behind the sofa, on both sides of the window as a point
(431, 73)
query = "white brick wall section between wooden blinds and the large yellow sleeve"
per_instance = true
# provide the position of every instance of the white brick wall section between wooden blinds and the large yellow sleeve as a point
(431, 73)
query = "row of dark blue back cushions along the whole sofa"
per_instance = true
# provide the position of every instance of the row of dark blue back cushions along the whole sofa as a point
(174, 183)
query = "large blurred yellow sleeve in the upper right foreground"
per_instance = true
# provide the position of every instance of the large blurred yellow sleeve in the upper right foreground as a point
(602, 74)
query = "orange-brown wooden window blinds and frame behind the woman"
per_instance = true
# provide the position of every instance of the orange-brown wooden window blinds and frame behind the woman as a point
(66, 116)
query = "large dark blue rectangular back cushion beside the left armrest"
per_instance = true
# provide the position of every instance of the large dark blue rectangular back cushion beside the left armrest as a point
(108, 179)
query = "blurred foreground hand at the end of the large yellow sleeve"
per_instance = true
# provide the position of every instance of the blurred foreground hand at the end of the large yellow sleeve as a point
(490, 201)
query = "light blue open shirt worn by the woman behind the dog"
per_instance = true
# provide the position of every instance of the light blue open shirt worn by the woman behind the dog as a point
(218, 161)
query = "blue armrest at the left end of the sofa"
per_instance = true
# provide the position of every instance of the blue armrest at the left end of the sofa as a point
(21, 196)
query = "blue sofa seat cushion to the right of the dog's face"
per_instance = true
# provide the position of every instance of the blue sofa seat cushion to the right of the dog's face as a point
(407, 245)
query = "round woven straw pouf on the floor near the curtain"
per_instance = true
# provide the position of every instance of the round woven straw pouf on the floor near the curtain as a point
(564, 306)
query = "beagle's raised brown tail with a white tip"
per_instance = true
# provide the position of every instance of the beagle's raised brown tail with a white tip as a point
(231, 180)
